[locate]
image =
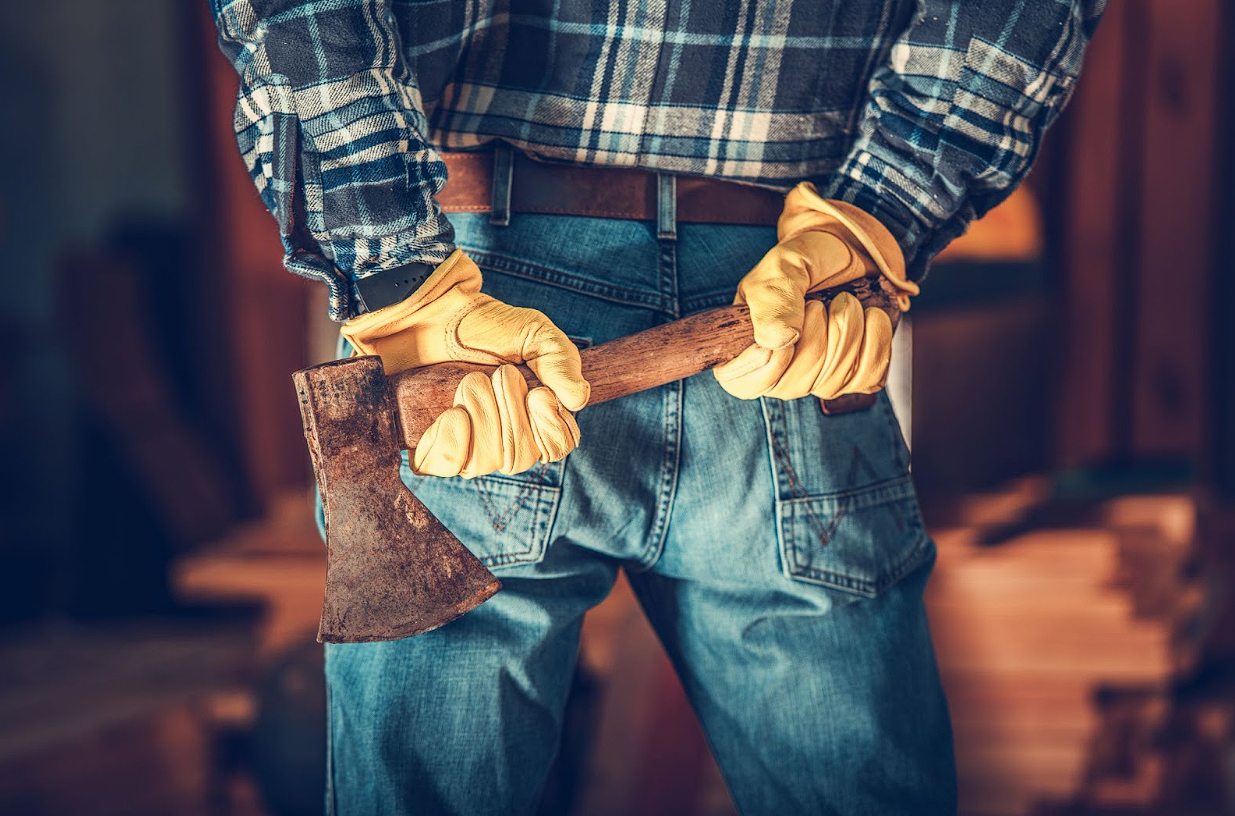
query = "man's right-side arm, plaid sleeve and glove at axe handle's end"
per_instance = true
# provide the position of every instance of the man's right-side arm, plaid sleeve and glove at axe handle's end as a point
(953, 122)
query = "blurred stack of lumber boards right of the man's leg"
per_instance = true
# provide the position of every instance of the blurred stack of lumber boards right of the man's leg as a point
(1055, 650)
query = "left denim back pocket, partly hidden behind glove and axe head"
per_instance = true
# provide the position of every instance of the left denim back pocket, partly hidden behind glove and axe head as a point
(503, 520)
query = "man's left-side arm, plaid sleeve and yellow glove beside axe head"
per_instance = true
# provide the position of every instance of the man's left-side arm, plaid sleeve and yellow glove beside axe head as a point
(330, 124)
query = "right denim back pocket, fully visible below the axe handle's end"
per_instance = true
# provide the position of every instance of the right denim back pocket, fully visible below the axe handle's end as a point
(847, 507)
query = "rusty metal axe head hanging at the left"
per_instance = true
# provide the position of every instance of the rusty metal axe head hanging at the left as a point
(393, 570)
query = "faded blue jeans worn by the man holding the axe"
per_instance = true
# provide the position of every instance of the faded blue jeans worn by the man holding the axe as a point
(779, 554)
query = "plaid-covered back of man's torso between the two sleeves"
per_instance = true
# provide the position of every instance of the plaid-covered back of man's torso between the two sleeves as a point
(761, 92)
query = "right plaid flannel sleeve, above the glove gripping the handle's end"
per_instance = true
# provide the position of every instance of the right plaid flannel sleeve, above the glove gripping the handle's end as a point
(957, 113)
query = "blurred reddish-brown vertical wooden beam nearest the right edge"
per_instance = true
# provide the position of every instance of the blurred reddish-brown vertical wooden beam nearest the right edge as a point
(1175, 239)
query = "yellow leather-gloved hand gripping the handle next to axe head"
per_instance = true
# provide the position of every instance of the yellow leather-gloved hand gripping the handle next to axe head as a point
(497, 424)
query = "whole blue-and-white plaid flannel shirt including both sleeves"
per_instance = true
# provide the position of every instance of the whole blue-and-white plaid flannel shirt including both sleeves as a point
(924, 113)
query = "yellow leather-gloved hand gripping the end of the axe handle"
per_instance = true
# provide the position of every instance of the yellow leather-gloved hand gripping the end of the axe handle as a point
(803, 348)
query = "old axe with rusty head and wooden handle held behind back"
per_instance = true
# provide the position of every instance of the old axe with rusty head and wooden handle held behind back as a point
(395, 571)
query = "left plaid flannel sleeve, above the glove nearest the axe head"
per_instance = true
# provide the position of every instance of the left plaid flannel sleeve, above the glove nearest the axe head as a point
(330, 124)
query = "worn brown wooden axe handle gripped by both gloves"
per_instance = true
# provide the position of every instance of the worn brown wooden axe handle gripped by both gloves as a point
(626, 366)
